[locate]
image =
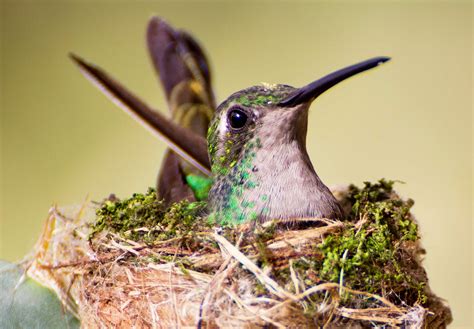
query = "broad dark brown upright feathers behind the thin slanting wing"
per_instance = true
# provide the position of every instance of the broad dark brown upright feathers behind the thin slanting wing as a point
(183, 70)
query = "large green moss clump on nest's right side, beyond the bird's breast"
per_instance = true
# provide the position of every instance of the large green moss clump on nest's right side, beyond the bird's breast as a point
(371, 255)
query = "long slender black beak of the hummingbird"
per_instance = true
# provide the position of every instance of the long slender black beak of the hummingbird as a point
(316, 88)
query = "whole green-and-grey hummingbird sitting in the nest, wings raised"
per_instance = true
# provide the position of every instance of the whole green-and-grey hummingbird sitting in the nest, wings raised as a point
(253, 165)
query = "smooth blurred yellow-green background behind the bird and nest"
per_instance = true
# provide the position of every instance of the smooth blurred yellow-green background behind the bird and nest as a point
(411, 119)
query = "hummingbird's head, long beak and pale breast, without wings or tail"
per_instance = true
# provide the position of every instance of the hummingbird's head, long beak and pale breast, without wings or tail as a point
(257, 148)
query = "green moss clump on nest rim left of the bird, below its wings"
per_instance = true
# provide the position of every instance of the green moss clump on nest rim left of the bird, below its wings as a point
(143, 218)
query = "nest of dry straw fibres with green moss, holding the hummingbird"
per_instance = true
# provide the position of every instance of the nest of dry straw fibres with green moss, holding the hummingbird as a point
(137, 263)
